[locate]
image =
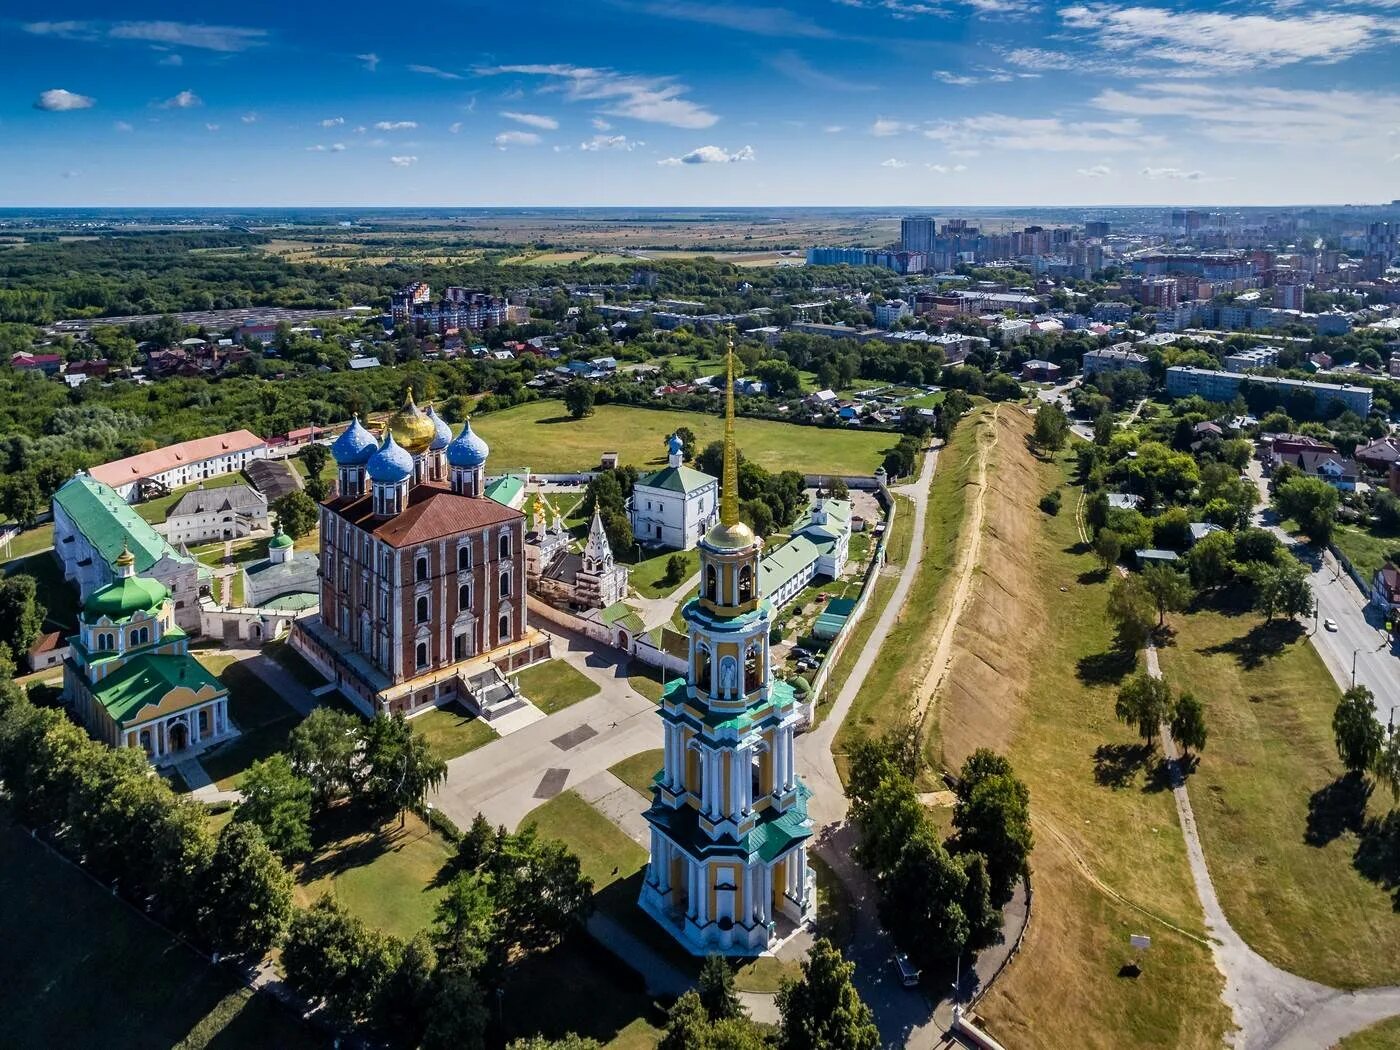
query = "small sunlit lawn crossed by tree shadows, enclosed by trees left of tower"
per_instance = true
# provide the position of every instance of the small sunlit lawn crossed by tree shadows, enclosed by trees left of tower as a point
(388, 876)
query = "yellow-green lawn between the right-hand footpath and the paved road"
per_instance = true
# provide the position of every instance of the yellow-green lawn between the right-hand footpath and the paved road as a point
(1280, 856)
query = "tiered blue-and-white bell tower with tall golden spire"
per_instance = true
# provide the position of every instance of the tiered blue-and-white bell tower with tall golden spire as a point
(729, 815)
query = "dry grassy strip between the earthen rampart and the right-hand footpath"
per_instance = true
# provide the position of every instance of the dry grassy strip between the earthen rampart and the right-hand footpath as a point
(1109, 859)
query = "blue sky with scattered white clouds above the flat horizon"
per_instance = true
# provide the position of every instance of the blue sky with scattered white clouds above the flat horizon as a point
(671, 103)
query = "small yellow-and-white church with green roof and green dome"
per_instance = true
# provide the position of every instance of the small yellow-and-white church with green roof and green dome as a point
(131, 678)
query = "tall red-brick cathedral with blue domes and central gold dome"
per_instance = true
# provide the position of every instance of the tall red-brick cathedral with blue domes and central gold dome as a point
(422, 573)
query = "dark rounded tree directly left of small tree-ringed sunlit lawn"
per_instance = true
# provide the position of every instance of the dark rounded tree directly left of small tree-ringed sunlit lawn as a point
(247, 894)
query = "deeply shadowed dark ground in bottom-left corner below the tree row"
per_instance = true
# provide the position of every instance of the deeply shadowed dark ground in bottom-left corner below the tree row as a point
(79, 968)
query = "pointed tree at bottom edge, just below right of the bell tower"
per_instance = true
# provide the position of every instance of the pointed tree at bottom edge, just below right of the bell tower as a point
(822, 1010)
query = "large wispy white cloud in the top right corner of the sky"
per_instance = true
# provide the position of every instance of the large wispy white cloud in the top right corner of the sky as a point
(1230, 43)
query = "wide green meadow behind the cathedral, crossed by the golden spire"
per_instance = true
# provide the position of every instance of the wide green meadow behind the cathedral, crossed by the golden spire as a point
(542, 437)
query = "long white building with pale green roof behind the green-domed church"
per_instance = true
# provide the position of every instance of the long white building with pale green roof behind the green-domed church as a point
(93, 527)
